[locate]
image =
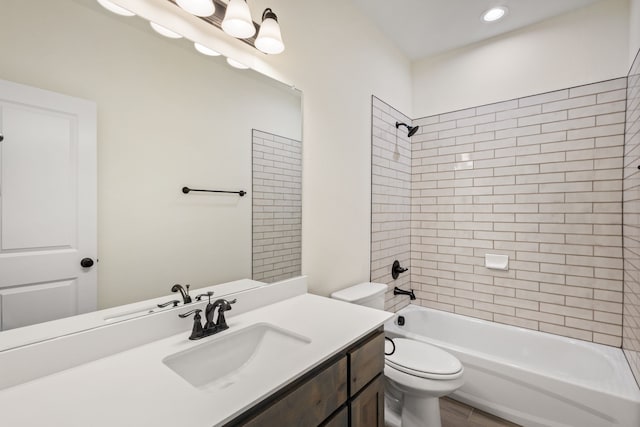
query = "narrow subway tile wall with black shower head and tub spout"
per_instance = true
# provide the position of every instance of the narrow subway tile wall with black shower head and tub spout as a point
(390, 200)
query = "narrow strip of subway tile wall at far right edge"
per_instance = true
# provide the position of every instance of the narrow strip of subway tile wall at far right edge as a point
(631, 220)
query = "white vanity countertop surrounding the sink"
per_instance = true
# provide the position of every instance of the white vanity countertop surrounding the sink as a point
(135, 388)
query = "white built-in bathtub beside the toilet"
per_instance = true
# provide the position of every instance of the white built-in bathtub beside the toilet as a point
(529, 377)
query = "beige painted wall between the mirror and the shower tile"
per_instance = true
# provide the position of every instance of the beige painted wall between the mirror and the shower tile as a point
(338, 59)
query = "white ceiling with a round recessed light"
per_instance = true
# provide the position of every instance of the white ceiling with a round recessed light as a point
(422, 28)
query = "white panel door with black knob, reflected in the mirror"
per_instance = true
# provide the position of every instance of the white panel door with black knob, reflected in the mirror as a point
(47, 205)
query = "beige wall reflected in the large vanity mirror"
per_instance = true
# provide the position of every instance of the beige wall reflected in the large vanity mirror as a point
(167, 117)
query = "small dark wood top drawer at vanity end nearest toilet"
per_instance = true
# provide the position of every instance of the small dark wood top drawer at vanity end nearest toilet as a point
(366, 362)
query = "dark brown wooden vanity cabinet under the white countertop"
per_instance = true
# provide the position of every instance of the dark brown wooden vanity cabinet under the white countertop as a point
(348, 390)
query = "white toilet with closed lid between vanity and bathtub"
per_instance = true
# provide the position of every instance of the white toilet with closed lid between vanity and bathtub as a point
(417, 373)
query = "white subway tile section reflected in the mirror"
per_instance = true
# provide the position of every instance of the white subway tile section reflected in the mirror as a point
(277, 207)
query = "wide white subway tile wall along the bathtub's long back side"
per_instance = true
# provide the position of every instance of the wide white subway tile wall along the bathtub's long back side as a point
(538, 179)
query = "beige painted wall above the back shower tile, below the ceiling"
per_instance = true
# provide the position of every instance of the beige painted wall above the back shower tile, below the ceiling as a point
(579, 47)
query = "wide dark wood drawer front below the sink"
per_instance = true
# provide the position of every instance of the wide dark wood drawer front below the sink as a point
(310, 403)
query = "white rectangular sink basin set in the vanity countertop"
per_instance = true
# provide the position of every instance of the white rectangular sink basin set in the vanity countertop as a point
(238, 357)
